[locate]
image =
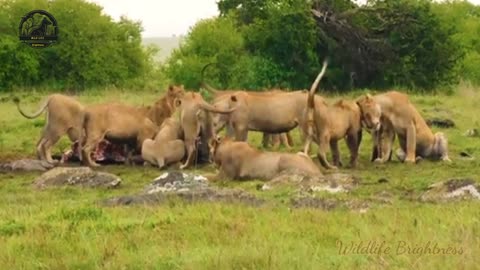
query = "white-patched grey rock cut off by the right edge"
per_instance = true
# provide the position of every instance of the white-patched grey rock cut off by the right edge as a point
(453, 189)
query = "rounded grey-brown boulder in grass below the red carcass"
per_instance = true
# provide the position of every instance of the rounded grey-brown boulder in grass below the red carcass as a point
(81, 176)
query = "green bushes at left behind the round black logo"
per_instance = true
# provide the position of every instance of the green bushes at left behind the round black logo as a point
(92, 50)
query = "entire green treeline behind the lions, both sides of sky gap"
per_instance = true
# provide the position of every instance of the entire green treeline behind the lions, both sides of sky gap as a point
(256, 44)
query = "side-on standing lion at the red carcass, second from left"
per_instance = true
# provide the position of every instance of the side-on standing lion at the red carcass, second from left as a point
(117, 123)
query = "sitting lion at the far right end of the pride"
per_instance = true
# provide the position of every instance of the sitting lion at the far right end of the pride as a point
(394, 114)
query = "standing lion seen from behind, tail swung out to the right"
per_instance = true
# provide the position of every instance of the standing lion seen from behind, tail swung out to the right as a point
(196, 122)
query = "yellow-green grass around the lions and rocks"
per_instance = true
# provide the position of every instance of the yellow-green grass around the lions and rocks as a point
(65, 228)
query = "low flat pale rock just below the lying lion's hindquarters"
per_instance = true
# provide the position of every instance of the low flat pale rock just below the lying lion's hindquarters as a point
(332, 183)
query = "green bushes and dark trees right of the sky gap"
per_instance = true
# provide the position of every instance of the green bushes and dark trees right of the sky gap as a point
(415, 44)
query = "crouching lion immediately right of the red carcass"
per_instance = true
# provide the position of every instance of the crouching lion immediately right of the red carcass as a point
(167, 147)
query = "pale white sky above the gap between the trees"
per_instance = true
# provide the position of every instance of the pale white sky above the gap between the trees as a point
(165, 18)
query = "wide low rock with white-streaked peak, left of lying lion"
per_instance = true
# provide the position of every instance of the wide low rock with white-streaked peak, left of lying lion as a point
(188, 187)
